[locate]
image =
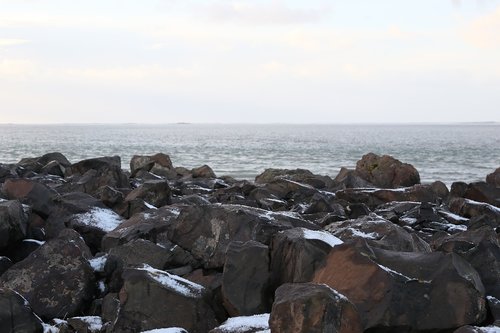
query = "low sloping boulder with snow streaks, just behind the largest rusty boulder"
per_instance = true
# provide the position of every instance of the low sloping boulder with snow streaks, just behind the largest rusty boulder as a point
(379, 233)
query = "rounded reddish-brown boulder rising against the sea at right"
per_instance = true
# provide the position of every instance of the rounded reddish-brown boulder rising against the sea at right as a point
(387, 172)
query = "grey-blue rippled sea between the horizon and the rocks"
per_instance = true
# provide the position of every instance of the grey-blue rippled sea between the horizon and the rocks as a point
(439, 152)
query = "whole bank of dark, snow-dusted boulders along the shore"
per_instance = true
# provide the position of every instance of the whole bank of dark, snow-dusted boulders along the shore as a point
(89, 247)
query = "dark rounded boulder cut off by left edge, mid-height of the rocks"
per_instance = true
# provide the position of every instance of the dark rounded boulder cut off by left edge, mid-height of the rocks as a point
(13, 223)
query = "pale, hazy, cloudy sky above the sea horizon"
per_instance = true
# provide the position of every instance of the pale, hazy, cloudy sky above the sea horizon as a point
(276, 61)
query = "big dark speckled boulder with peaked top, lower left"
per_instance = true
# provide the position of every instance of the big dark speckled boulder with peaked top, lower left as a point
(56, 279)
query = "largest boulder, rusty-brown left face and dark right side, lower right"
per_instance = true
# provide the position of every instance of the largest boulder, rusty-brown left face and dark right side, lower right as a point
(404, 291)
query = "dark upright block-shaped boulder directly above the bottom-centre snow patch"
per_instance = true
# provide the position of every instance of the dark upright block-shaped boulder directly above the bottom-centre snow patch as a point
(245, 281)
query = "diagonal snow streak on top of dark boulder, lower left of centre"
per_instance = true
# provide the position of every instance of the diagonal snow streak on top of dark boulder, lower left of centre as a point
(174, 282)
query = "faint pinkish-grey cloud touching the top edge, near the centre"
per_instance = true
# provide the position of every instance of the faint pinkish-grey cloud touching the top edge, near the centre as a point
(275, 13)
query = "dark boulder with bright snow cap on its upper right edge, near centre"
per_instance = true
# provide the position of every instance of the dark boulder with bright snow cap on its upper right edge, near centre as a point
(297, 253)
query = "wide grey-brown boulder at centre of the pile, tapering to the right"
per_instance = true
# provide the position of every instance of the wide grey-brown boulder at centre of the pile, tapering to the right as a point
(206, 231)
